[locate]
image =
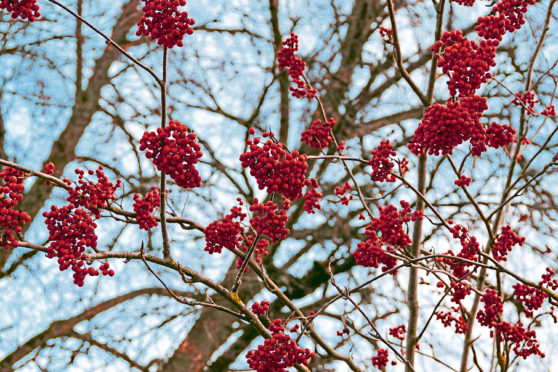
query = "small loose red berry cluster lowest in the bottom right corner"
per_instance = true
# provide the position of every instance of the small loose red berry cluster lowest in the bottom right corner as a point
(524, 341)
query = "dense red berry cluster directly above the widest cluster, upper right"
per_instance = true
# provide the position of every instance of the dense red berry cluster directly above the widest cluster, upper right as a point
(466, 62)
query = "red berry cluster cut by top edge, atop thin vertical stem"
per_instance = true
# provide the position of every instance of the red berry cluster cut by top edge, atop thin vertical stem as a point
(162, 21)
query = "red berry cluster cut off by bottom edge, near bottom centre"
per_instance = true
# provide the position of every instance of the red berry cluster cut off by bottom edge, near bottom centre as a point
(278, 352)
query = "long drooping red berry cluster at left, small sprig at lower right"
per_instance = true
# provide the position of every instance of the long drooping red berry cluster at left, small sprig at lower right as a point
(71, 231)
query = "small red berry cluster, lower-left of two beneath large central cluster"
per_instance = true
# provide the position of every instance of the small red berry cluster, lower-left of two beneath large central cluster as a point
(225, 233)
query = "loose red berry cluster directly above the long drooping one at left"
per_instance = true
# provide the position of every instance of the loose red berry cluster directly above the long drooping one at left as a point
(90, 195)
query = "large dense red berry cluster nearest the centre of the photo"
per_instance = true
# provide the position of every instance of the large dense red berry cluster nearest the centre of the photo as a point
(274, 169)
